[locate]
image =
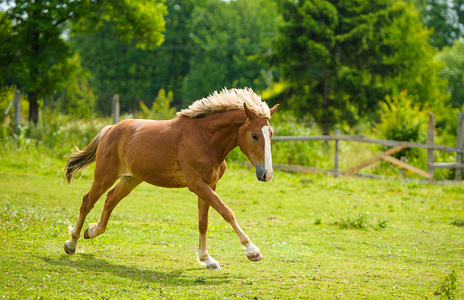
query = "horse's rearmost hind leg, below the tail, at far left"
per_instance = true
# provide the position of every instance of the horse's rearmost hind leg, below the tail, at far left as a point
(88, 202)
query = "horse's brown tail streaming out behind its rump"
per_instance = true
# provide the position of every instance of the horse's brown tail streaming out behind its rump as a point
(82, 158)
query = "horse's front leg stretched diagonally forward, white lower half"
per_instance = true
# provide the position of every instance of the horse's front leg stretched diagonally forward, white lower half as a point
(205, 192)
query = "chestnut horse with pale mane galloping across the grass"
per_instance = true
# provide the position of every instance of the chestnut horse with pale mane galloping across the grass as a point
(187, 151)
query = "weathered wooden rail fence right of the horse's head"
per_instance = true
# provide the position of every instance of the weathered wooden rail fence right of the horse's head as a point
(397, 146)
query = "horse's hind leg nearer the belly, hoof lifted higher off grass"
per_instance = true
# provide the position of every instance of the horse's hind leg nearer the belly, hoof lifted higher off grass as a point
(121, 190)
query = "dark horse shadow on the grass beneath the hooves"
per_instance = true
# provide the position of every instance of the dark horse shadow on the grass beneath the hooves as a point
(89, 263)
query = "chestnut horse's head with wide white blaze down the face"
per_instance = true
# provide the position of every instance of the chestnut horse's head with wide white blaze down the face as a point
(255, 142)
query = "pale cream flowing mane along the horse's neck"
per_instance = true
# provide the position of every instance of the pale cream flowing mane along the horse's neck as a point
(226, 100)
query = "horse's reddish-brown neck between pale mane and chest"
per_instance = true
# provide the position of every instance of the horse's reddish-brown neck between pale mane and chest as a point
(222, 129)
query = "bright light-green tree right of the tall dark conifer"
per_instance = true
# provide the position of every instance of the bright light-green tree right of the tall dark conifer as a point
(417, 70)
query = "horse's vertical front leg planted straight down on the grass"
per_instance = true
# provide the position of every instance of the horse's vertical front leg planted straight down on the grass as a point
(203, 255)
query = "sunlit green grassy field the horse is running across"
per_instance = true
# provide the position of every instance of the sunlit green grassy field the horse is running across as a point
(321, 238)
